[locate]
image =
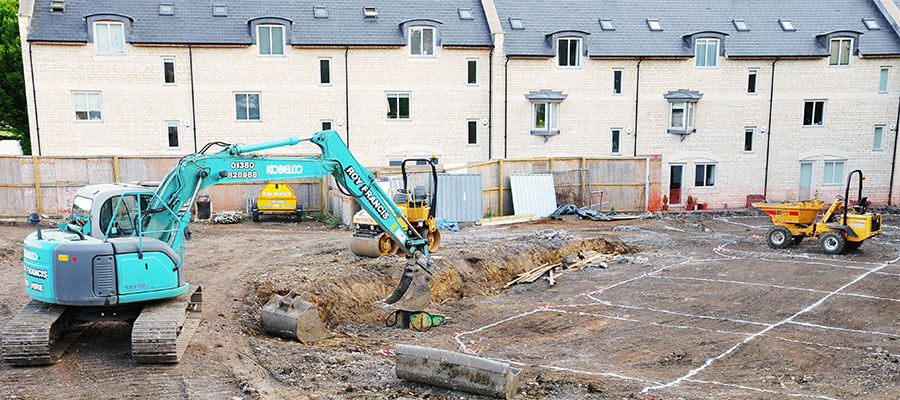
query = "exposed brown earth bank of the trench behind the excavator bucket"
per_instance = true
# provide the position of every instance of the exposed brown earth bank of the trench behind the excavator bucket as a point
(348, 296)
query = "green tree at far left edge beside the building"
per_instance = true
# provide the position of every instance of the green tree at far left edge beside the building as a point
(13, 103)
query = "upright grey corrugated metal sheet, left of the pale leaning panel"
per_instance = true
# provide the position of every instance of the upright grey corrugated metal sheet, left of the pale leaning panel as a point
(460, 197)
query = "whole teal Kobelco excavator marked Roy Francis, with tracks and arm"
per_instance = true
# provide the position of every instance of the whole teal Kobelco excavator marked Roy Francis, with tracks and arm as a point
(121, 256)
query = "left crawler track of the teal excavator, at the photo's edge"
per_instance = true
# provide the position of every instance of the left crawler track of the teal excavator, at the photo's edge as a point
(39, 334)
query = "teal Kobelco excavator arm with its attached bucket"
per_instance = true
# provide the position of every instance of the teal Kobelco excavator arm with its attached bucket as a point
(235, 164)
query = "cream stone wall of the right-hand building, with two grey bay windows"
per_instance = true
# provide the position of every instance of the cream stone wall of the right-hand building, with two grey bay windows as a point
(590, 111)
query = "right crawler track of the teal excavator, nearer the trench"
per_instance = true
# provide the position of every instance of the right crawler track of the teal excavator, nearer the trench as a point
(163, 330)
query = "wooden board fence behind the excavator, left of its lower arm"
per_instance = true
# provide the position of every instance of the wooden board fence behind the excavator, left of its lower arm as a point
(47, 185)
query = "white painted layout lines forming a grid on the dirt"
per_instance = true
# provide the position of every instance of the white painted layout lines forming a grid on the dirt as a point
(724, 254)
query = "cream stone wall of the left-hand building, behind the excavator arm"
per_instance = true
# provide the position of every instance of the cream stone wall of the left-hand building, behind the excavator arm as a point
(137, 105)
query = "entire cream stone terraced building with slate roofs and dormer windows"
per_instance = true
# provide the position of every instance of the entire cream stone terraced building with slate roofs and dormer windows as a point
(736, 98)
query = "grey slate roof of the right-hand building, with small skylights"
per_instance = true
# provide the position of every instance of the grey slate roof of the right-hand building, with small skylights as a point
(633, 38)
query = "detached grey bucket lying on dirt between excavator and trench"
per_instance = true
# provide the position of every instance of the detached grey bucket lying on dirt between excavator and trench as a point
(292, 317)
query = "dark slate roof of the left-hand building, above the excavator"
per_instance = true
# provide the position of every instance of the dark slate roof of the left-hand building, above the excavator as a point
(194, 23)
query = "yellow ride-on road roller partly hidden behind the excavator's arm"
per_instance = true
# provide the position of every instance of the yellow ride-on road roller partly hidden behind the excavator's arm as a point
(417, 206)
